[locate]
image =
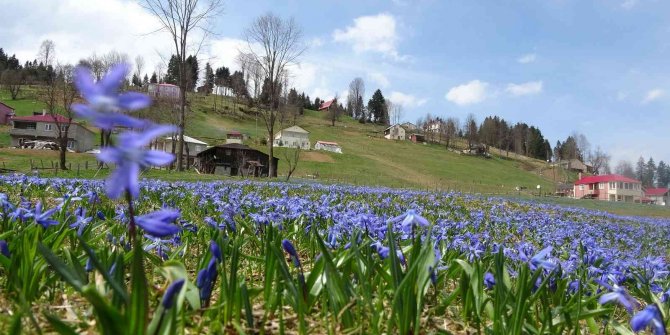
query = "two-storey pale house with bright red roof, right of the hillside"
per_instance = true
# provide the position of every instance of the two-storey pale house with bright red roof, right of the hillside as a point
(611, 187)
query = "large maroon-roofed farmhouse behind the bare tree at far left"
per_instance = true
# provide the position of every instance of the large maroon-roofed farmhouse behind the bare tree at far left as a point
(43, 128)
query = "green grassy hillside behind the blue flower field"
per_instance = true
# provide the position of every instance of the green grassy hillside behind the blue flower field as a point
(367, 158)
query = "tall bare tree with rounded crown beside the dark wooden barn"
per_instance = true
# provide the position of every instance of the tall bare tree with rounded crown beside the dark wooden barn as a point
(280, 44)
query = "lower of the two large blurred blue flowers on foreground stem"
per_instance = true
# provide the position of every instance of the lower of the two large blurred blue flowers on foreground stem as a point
(130, 157)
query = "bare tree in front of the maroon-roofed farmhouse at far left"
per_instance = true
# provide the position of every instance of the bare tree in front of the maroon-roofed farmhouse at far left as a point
(58, 96)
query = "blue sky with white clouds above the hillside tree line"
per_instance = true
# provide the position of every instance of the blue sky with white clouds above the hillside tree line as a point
(598, 67)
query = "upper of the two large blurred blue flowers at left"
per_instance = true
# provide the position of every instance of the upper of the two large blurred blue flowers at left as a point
(104, 102)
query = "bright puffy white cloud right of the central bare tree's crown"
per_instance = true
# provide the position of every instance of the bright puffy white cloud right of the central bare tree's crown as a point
(376, 33)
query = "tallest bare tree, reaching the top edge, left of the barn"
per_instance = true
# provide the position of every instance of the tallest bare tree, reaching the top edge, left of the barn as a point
(180, 18)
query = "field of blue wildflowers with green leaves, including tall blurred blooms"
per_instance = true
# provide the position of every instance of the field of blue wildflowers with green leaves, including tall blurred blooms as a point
(132, 256)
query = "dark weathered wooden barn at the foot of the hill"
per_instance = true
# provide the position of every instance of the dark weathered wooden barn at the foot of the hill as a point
(234, 159)
